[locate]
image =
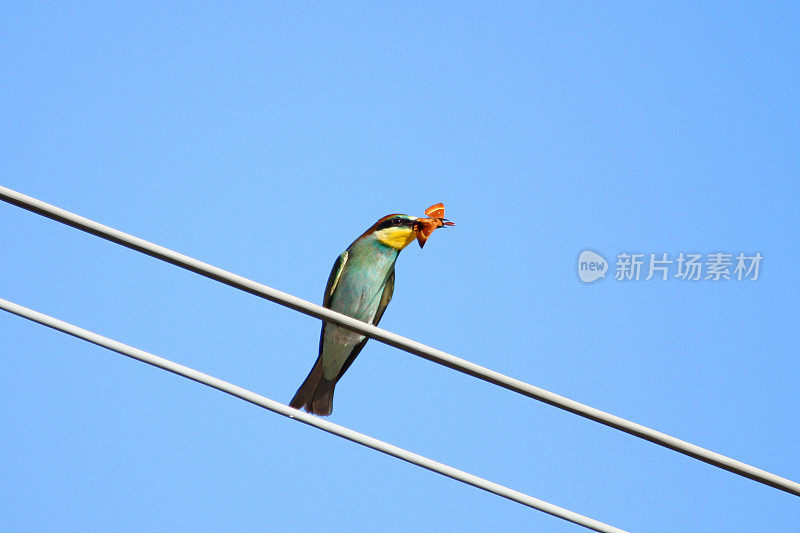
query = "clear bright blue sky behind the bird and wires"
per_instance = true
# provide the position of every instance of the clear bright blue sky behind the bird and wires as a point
(263, 138)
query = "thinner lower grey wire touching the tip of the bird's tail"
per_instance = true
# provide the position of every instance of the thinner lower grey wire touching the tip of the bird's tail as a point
(306, 418)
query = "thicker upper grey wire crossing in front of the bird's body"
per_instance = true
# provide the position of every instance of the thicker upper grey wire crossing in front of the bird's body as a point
(403, 343)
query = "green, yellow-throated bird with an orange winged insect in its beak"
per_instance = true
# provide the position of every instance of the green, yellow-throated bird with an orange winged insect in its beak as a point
(360, 285)
